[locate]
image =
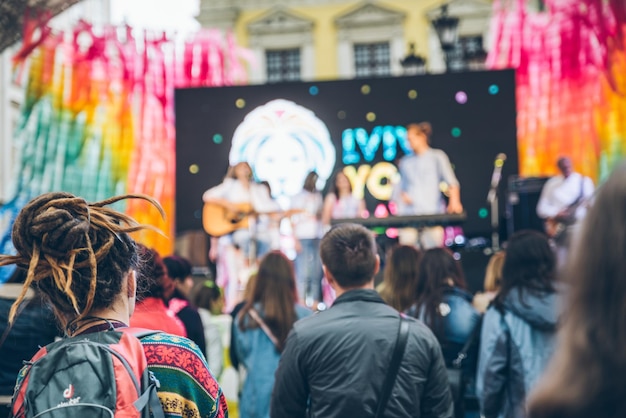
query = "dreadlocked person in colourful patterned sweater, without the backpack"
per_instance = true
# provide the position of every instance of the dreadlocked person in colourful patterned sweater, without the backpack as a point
(82, 259)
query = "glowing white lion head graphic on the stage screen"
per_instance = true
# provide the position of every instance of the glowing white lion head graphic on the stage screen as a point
(283, 142)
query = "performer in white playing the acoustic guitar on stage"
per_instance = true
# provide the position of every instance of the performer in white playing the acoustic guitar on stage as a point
(238, 194)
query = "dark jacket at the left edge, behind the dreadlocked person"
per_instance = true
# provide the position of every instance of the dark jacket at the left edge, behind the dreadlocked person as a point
(34, 327)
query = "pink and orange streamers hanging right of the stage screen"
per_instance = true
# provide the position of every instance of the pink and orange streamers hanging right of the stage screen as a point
(571, 67)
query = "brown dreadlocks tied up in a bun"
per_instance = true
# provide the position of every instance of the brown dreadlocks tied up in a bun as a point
(76, 252)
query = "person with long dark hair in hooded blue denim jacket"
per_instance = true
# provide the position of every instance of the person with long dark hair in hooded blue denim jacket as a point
(518, 334)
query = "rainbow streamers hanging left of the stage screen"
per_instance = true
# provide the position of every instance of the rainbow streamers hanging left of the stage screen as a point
(98, 116)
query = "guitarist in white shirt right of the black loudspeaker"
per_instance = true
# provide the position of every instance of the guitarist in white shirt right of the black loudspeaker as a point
(562, 203)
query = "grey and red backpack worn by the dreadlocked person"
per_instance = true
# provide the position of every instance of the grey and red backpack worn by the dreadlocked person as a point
(102, 374)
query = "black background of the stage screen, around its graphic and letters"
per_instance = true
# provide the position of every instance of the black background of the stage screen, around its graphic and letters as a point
(472, 114)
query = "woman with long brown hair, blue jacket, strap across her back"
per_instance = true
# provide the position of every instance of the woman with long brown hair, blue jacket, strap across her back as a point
(262, 328)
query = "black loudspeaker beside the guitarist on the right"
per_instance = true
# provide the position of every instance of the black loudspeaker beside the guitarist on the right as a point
(521, 203)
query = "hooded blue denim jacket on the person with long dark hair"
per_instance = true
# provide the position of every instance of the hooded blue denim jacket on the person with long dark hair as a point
(515, 349)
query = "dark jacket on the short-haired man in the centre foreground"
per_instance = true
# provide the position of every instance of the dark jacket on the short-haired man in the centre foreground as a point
(337, 360)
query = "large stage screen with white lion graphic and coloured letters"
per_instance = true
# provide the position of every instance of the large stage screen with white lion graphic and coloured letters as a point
(359, 126)
